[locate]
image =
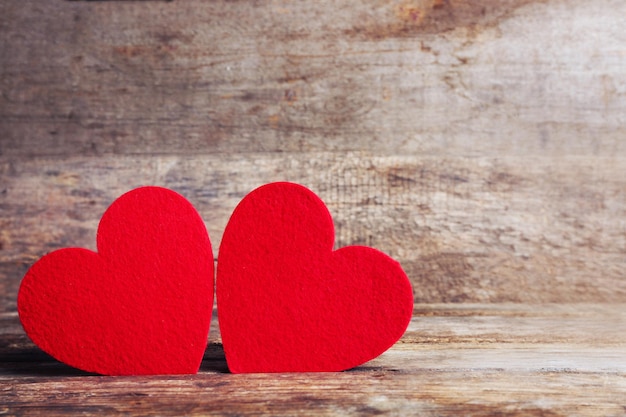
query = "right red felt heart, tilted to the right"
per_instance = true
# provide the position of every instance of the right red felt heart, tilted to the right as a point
(288, 303)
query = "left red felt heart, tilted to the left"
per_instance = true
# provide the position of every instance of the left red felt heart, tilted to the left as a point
(141, 305)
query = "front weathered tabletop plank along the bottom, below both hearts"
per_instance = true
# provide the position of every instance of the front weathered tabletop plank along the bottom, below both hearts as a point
(475, 393)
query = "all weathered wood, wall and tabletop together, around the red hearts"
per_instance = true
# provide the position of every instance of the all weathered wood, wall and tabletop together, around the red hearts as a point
(480, 143)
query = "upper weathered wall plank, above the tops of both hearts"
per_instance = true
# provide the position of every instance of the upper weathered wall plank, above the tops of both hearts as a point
(486, 78)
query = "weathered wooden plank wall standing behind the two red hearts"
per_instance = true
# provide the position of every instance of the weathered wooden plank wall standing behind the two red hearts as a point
(480, 143)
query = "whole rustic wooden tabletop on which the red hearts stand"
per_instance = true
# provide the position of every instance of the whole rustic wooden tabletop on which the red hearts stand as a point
(464, 359)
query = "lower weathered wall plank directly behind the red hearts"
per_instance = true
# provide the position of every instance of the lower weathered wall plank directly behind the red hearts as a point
(466, 229)
